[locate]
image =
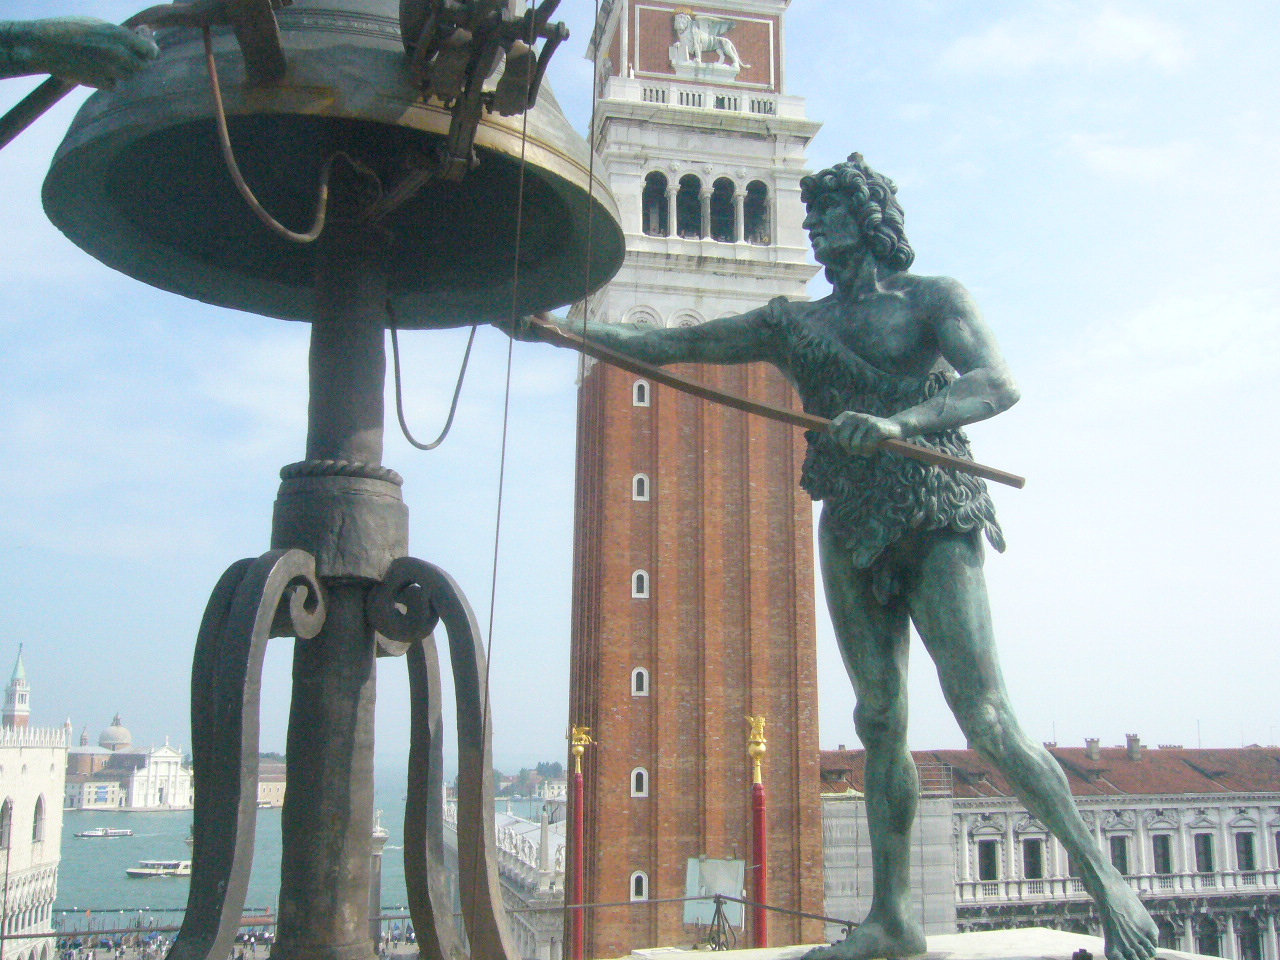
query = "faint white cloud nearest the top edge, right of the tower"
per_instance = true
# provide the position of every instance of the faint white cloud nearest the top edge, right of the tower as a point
(1069, 36)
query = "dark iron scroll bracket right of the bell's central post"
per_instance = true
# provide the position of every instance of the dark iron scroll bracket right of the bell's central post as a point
(405, 610)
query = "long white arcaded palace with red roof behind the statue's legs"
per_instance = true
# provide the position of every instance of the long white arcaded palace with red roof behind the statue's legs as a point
(1196, 833)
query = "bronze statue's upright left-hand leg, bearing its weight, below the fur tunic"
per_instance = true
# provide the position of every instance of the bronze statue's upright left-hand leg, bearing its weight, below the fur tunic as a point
(874, 643)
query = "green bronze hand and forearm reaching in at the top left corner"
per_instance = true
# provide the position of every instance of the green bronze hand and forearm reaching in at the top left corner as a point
(80, 49)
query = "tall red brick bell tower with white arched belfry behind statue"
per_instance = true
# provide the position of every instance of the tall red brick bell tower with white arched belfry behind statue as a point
(694, 604)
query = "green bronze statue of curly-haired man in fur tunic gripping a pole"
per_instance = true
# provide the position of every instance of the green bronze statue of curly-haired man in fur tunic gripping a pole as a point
(895, 355)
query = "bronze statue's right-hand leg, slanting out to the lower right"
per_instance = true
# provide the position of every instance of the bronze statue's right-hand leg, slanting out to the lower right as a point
(949, 607)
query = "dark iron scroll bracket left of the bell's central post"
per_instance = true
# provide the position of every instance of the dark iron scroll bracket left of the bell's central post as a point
(276, 595)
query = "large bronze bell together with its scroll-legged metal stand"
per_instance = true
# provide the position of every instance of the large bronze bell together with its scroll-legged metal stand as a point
(424, 231)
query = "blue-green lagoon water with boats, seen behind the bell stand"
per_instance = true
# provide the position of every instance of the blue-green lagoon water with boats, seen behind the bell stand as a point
(92, 877)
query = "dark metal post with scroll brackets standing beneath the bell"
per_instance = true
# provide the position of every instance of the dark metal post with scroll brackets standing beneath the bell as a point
(339, 580)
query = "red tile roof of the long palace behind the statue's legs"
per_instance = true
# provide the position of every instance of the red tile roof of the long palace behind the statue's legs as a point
(1162, 771)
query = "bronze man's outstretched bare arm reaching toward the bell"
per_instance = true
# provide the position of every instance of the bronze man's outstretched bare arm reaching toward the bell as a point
(734, 340)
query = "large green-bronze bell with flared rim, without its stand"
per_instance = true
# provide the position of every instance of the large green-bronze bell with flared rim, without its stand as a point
(140, 184)
